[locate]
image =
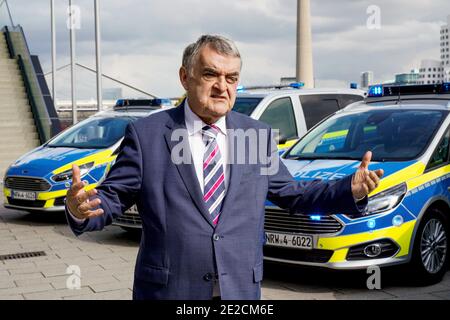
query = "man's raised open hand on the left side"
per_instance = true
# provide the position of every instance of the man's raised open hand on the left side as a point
(77, 198)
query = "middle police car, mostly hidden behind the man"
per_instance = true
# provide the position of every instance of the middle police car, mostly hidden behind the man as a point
(289, 108)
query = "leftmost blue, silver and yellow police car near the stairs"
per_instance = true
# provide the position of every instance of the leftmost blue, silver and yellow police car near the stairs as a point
(38, 181)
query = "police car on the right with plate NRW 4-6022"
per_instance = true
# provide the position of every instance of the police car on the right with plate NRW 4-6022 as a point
(407, 220)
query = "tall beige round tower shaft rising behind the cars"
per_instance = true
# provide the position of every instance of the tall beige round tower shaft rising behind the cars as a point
(304, 70)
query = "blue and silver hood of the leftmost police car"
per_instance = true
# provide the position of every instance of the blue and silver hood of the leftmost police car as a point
(43, 160)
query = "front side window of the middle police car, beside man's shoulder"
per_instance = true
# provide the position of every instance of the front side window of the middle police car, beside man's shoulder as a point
(279, 114)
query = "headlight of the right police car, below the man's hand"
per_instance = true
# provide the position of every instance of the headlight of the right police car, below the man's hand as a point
(386, 200)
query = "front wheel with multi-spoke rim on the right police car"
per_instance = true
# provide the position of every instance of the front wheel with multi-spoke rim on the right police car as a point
(430, 256)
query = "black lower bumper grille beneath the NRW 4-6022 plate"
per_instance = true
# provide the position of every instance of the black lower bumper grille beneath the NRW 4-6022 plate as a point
(298, 255)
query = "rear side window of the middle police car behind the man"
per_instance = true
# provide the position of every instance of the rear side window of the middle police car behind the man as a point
(317, 107)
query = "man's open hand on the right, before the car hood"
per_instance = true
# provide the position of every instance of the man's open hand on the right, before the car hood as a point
(365, 181)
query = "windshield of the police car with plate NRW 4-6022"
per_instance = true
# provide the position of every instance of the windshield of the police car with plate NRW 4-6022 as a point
(391, 135)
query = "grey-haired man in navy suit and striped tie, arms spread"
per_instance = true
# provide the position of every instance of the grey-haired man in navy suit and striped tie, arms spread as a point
(200, 198)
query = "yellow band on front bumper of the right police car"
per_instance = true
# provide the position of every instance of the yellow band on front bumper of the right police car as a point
(340, 244)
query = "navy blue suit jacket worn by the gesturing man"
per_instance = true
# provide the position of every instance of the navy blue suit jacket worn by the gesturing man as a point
(180, 247)
